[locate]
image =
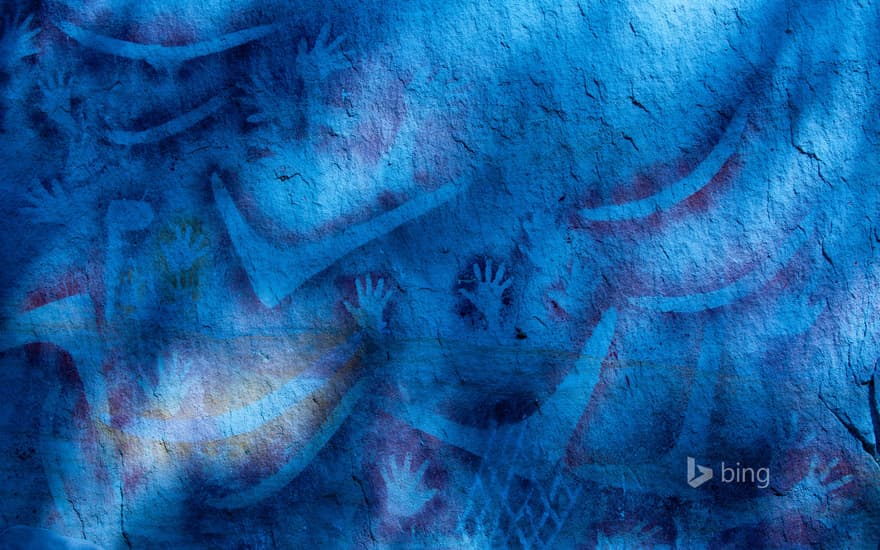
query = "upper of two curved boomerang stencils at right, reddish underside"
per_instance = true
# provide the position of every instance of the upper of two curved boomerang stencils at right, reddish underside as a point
(683, 188)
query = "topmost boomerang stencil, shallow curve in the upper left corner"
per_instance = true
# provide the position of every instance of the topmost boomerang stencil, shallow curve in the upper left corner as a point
(158, 55)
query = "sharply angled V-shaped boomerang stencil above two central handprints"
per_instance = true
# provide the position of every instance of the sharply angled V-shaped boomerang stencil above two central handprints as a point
(276, 272)
